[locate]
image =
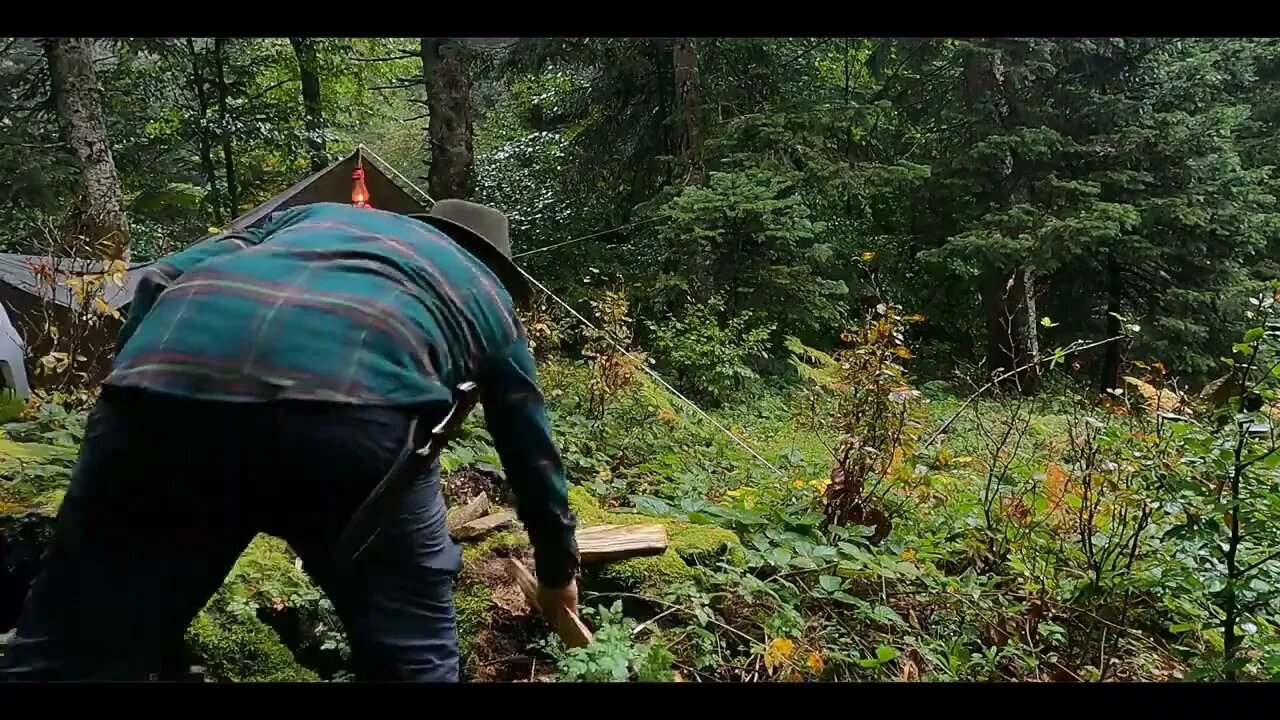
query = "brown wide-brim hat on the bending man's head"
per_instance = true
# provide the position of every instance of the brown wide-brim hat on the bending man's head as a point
(486, 234)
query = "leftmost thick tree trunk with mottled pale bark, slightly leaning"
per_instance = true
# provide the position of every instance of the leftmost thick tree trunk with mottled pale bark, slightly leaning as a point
(99, 212)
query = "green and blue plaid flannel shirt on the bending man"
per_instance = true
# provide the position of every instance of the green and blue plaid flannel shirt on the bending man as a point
(332, 303)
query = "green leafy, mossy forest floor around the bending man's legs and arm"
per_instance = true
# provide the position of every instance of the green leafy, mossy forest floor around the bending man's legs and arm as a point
(1026, 543)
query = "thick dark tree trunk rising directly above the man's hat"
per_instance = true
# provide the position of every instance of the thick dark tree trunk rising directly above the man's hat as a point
(450, 133)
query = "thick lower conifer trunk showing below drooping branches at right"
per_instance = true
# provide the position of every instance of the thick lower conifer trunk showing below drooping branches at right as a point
(1009, 306)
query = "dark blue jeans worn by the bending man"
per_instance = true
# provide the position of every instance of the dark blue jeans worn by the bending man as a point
(168, 493)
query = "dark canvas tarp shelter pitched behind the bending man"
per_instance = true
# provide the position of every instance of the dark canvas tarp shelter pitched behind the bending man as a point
(331, 185)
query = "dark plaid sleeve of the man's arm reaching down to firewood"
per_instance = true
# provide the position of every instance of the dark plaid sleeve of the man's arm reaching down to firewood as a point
(516, 417)
